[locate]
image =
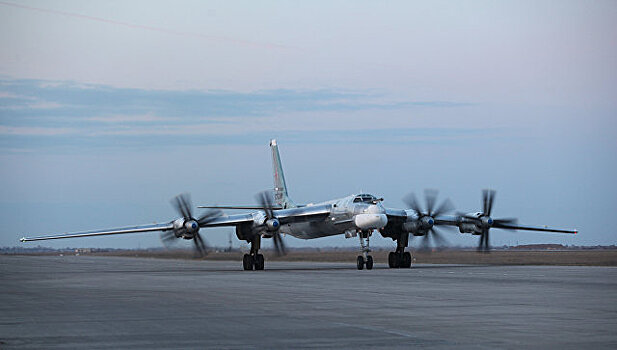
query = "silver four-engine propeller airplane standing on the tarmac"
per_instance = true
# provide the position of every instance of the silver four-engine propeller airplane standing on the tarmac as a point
(357, 215)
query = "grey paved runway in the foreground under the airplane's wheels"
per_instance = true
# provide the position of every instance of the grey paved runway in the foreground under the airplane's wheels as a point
(112, 302)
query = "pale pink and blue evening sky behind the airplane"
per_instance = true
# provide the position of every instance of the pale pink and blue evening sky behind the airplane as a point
(109, 109)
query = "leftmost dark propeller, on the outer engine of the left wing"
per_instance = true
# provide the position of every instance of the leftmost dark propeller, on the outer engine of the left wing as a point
(188, 226)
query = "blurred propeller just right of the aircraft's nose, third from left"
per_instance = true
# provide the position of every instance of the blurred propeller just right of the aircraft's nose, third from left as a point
(426, 219)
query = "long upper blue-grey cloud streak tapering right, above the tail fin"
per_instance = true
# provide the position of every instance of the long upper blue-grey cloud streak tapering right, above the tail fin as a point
(81, 100)
